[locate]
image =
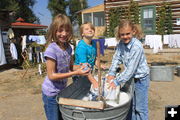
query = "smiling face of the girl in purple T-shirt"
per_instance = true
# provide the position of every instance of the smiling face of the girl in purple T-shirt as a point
(62, 35)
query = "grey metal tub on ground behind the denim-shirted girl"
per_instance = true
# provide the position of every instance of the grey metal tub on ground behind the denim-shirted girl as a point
(162, 73)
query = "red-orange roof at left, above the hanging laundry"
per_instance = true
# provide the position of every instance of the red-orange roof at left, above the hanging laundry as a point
(21, 24)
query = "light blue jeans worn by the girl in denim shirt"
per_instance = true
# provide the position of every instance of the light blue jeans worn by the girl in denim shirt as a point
(140, 99)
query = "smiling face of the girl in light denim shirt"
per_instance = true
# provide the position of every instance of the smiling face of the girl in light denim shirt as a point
(126, 33)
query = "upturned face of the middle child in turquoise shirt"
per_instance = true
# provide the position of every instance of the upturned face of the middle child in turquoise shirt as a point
(87, 31)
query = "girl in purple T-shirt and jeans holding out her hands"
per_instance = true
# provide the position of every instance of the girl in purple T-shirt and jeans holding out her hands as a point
(58, 63)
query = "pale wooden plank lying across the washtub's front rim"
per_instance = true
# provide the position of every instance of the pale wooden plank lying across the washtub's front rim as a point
(82, 103)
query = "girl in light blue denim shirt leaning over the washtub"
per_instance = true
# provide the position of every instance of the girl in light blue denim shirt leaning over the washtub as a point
(130, 53)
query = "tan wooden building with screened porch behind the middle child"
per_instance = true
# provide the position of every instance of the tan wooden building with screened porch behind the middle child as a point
(96, 16)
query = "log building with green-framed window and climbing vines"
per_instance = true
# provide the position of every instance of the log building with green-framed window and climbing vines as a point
(148, 13)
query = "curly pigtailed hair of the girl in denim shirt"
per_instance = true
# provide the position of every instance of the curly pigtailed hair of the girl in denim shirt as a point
(136, 28)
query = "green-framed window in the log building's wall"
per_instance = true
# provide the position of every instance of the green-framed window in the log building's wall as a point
(148, 19)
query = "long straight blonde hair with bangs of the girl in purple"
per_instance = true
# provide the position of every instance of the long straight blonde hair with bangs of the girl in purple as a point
(59, 21)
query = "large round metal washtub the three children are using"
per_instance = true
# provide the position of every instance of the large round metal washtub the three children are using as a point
(113, 113)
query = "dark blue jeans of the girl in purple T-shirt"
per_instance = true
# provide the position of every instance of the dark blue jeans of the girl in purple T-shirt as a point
(51, 108)
